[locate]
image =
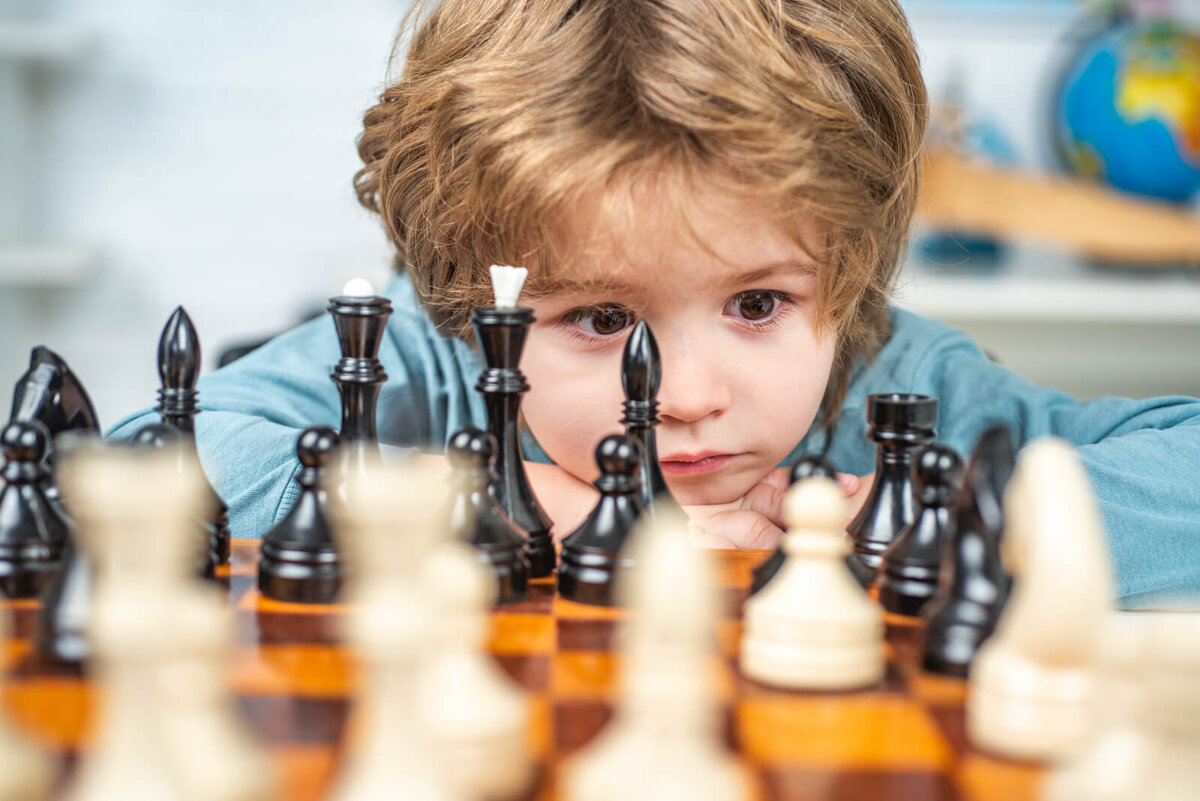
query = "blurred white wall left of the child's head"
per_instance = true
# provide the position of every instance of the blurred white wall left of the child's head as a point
(206, 150)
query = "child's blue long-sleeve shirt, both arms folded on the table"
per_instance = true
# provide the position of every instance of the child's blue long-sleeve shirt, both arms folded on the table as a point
(1141, 455)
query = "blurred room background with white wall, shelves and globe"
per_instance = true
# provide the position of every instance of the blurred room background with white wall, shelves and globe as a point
(155, 154)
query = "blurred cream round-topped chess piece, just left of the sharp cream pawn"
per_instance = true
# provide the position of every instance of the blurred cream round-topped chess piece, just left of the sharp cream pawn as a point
(664, 742)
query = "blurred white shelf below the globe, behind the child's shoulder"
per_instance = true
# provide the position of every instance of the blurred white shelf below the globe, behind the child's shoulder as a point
(1045, 287)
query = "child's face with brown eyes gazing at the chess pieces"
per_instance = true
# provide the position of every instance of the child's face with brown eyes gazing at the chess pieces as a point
(745, 368)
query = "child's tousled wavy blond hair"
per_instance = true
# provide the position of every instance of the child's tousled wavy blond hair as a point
(508, 113)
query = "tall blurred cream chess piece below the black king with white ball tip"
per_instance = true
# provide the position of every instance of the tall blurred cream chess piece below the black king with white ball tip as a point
(392, 515)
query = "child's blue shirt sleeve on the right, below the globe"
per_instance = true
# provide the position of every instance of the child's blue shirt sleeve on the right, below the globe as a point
(1139, 456)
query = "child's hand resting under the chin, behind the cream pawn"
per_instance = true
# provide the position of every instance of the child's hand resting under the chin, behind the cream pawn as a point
(757, 521)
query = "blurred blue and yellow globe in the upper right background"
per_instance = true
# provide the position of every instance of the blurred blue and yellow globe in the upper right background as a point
(1130, 110)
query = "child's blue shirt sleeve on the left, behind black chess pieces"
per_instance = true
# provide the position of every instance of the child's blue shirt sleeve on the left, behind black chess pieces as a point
(255, 409)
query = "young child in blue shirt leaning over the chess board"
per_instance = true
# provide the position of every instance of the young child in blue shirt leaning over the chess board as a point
(740, 173)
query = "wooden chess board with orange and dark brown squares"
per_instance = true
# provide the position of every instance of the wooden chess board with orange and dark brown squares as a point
(296, 684)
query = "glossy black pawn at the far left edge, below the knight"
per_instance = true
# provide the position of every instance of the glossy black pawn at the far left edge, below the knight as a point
(33, 528)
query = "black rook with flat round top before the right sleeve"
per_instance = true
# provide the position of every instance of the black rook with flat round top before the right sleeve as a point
(901, 424)
